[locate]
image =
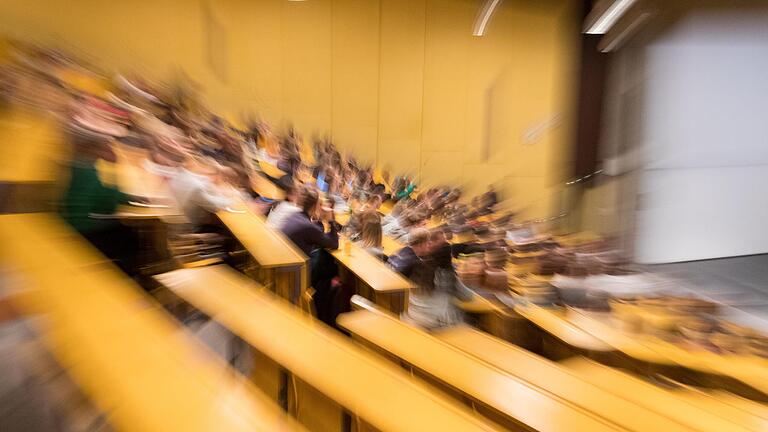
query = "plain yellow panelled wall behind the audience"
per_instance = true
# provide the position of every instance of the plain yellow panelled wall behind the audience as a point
(398, 82)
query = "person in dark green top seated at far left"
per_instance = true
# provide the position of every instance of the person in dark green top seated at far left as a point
(87, 198)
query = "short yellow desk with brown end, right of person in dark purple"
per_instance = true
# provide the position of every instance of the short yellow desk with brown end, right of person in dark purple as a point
(374, 279)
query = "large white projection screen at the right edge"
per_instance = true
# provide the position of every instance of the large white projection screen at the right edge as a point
(702, 192)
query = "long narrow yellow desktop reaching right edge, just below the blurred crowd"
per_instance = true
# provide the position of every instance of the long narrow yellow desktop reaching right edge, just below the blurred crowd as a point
(750, 370)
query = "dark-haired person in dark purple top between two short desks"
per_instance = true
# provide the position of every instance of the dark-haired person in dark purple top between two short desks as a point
(307, 233)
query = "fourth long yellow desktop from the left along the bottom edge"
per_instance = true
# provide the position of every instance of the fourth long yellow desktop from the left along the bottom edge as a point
(565, 384)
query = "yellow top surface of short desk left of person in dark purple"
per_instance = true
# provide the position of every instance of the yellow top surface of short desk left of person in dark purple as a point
(267, 246)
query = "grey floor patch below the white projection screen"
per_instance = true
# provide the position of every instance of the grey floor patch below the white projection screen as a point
(739, 282)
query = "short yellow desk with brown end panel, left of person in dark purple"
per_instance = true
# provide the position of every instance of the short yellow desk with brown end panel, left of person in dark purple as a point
(281, 265)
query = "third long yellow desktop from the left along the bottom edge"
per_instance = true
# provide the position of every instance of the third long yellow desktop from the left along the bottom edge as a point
(490, 385)
